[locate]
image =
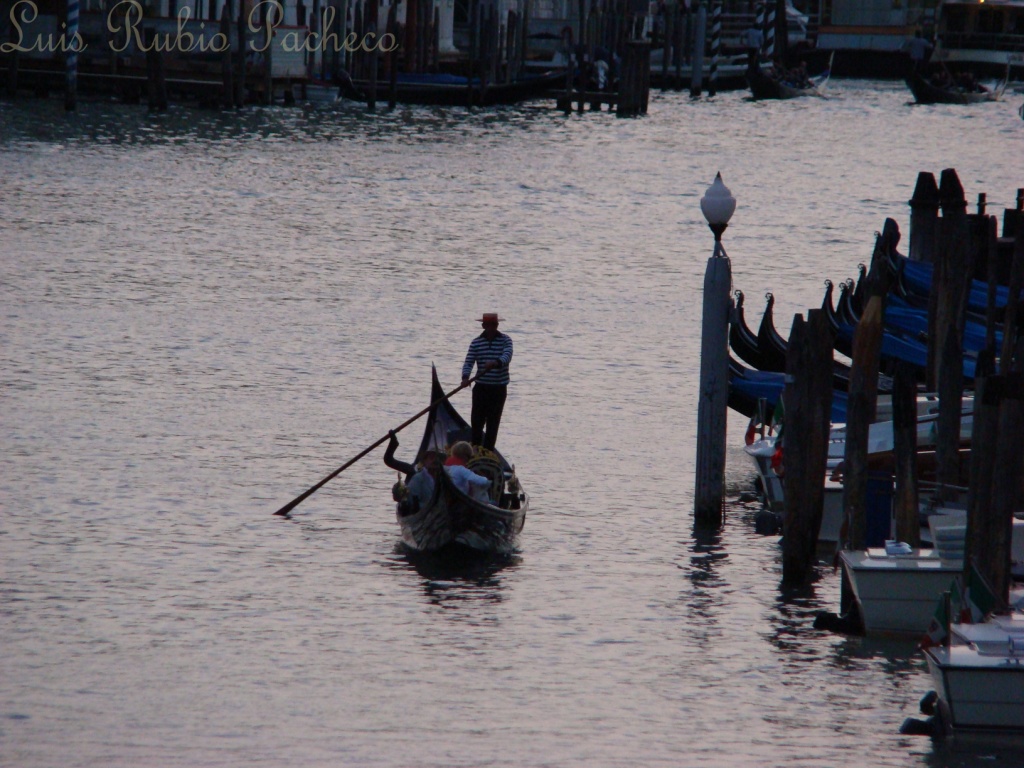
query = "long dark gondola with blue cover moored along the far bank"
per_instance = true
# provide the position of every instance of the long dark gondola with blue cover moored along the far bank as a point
(455, 91)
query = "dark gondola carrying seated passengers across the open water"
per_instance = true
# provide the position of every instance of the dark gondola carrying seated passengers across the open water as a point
(452, 520)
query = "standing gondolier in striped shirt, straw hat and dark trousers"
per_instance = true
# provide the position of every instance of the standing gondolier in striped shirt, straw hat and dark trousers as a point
(491, 353)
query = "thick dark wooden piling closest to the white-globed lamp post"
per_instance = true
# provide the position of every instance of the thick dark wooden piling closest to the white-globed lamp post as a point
(807, 396)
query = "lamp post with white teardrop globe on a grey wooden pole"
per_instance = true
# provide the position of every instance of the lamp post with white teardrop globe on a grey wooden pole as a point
(718, 206)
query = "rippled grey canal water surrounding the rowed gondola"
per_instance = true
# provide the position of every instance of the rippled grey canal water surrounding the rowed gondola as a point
(204, 315)
